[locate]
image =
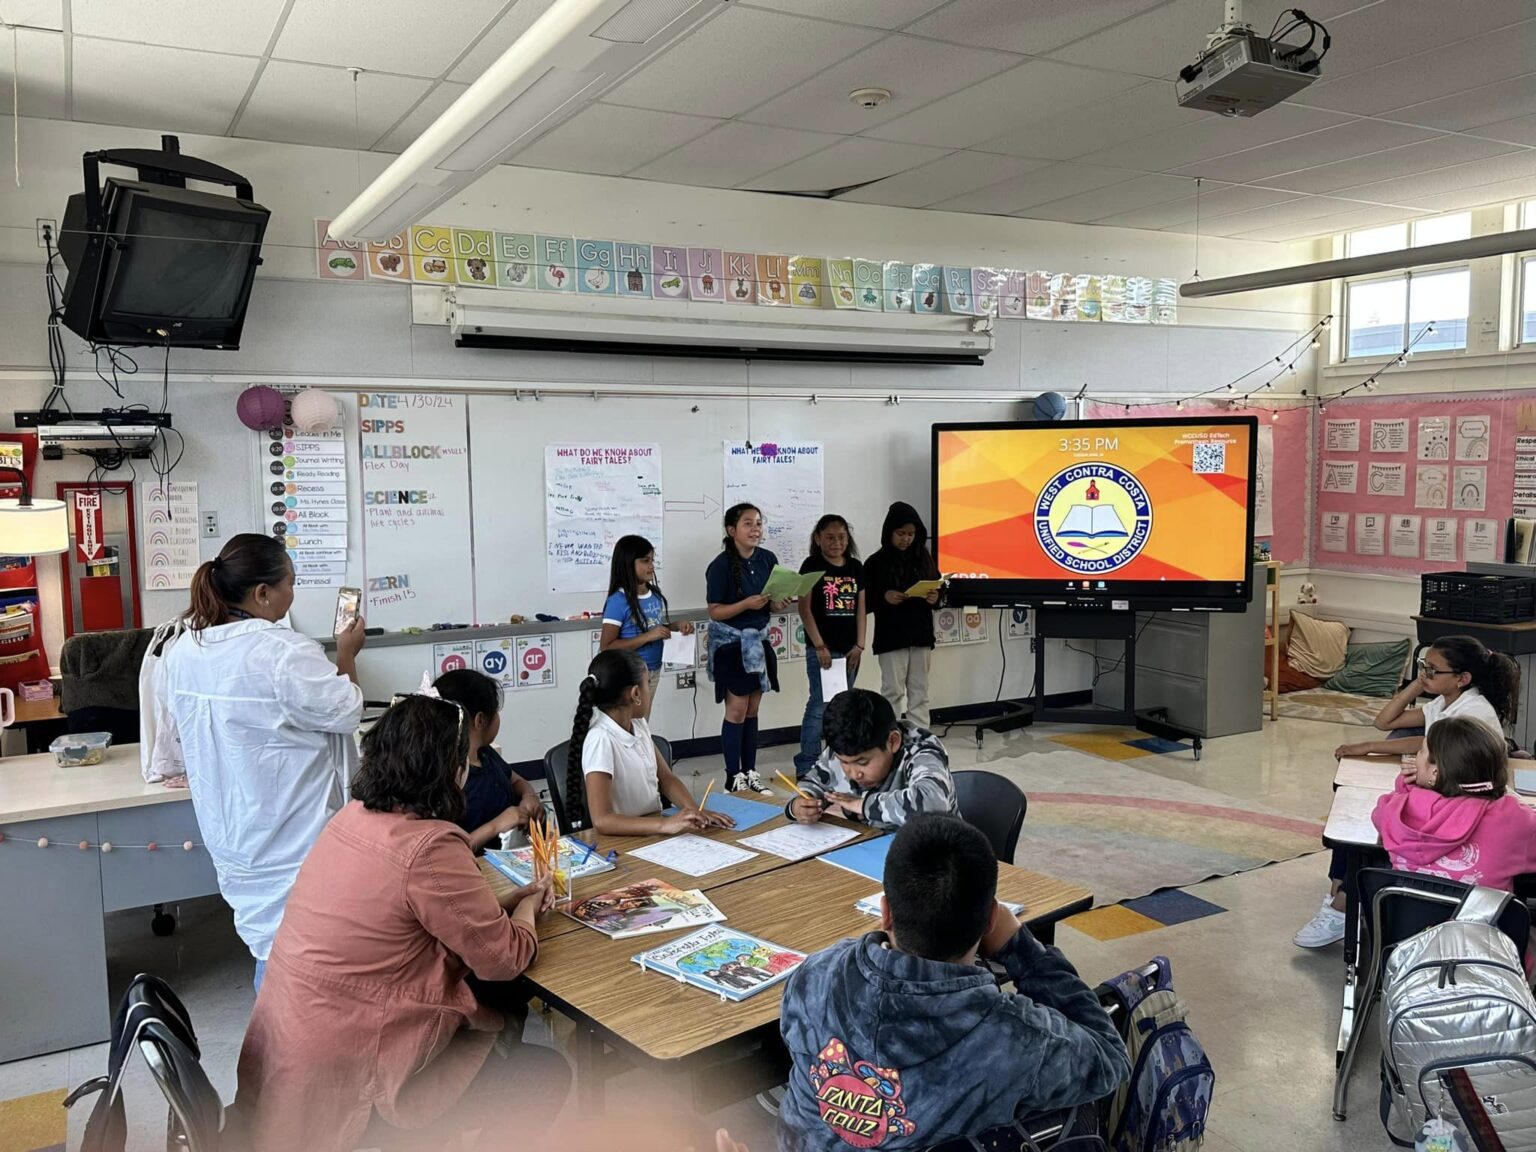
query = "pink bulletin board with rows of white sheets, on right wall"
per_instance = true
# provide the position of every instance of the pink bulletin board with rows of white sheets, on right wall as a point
(1414, 437)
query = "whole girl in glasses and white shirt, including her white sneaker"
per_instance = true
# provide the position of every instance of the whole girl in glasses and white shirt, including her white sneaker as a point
(1465, 681)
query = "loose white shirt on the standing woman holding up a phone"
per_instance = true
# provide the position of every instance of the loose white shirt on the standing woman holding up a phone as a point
(266, 727)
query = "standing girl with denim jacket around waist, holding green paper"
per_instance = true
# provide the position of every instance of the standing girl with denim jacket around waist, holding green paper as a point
(741, 664)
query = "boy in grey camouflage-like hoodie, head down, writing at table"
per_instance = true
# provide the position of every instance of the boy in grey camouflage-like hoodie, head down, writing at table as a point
(876, 769)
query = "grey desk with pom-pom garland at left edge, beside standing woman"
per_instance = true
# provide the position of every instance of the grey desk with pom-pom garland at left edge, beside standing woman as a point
(53, 901)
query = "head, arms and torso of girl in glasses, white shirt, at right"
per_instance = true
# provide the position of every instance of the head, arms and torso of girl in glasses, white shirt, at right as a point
(1462, 678)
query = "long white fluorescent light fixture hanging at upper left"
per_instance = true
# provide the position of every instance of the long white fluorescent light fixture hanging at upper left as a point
(569, 58)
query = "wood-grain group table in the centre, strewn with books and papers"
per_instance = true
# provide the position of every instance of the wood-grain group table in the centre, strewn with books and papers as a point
(729, 1050)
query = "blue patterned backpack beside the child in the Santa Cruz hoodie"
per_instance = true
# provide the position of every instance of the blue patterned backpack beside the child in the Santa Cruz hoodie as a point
(1165, 1105)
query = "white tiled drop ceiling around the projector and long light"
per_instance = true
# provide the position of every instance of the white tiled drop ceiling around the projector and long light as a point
(996, 102)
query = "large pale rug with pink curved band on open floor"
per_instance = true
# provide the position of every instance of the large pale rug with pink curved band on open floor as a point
(1124, 833)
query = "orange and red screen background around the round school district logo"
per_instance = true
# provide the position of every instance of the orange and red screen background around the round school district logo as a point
(991, 478)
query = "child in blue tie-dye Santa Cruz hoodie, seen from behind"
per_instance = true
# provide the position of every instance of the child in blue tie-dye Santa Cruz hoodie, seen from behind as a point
(901, 1041)
